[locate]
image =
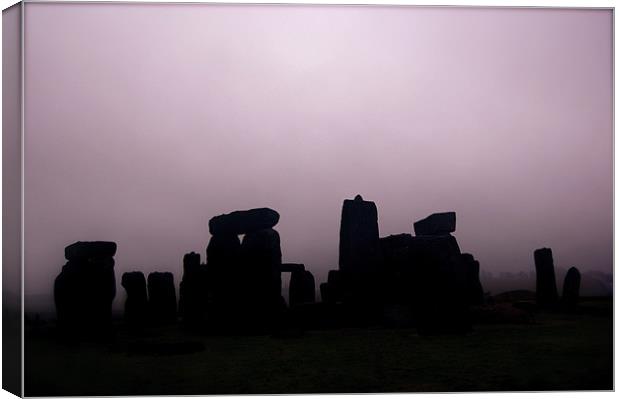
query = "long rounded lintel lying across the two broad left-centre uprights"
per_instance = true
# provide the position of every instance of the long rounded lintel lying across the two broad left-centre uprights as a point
(243, 222)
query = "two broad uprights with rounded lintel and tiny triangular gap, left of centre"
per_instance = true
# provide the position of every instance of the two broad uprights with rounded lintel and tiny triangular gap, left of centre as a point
(243, 278)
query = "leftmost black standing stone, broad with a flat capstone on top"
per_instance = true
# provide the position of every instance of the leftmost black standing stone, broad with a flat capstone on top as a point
(85, 288)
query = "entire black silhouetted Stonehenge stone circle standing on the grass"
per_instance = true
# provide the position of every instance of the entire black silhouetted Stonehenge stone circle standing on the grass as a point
(421, 279)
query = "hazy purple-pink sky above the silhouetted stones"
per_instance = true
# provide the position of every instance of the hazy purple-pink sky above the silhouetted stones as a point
(143, 121)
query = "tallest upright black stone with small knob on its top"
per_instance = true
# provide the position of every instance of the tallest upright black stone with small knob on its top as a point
(359, 249)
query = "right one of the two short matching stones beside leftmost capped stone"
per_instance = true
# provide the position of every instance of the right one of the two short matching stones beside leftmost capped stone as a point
(162, 297)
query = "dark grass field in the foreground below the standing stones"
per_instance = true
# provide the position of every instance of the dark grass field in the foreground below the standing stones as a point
(557, 352)
